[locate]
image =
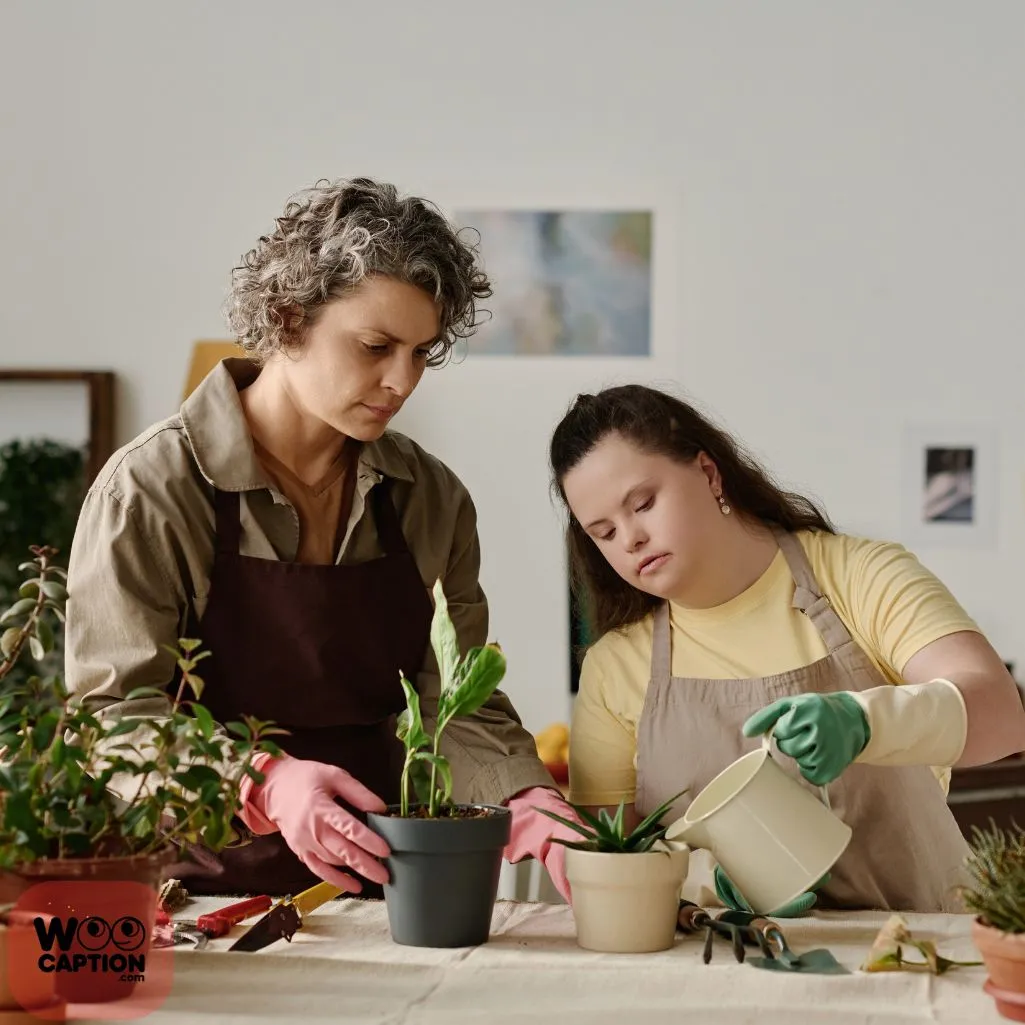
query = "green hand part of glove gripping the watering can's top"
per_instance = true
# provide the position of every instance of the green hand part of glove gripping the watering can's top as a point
(824, 733)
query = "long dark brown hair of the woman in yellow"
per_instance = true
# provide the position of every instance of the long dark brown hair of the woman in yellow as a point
(660, 424)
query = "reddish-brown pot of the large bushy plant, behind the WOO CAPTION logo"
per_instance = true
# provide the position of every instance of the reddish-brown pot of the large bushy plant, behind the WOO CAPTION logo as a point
(110, 891)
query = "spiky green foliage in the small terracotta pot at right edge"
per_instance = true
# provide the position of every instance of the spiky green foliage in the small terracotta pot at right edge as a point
(997, 870)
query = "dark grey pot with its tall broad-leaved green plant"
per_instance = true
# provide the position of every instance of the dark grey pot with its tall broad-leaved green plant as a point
(446, 857)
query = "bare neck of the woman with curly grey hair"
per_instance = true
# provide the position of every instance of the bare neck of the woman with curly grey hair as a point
(308, 446)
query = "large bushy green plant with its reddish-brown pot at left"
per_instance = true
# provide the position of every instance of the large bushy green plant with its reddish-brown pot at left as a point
(62, 822)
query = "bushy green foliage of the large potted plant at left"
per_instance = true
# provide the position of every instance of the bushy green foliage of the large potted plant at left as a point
(179, 776)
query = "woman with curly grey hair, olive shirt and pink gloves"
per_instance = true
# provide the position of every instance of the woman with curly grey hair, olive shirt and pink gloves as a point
(279, 520)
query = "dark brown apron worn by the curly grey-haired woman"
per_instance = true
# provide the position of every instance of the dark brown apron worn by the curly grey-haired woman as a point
(317, 650)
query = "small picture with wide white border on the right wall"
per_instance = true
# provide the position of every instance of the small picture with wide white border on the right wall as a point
(950, 481)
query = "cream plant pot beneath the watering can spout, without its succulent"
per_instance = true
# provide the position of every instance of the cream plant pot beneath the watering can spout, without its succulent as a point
(627, 904)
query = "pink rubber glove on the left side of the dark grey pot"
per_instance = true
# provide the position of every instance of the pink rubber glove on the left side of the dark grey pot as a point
(298, 798)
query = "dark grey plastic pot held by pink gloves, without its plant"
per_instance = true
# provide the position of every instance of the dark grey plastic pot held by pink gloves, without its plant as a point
(444, 876)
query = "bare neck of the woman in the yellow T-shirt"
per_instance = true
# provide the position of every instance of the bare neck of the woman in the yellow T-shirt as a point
(736, 560)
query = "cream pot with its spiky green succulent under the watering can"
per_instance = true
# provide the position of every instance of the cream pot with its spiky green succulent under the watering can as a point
(625, 905)
